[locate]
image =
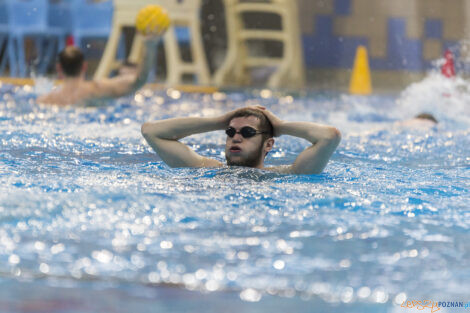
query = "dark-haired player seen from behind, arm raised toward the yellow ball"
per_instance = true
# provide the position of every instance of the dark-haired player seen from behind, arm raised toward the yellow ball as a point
(76, 90)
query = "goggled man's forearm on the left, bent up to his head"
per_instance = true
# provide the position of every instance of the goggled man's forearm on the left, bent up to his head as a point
(177, 128)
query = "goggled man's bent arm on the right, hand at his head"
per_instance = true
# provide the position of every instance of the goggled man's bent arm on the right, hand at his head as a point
(324, 141)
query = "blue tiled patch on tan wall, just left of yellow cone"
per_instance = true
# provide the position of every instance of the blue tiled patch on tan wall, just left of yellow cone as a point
(324, 50)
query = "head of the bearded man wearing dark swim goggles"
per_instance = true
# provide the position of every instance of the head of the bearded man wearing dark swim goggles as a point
(249, 138)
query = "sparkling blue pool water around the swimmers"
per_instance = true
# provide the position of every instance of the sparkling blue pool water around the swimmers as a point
(91, 220)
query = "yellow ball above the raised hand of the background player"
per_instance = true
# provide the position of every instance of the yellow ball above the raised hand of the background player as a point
(152, 20)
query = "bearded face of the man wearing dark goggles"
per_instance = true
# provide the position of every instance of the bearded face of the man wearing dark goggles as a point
(250, 152)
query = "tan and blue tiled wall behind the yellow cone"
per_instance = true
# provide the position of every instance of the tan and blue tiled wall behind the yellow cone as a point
(401, 35)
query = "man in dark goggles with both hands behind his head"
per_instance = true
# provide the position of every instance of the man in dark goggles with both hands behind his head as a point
(250, 133)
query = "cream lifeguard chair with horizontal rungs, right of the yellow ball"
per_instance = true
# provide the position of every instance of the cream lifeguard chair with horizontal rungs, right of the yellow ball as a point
(289, 69)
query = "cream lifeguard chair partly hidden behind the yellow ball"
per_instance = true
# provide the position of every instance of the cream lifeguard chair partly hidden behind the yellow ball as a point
(183, 13)
